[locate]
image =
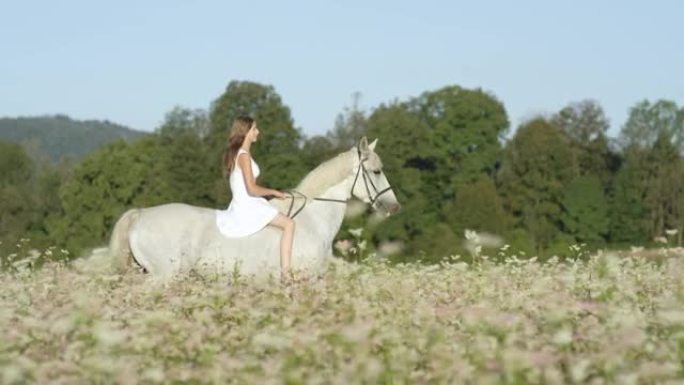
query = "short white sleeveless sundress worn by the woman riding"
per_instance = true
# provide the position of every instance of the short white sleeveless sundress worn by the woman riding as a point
(246, 214)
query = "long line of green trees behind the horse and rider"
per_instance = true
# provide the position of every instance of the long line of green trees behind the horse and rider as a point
(558, 181)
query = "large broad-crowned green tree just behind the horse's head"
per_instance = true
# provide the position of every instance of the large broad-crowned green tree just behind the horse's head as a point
(432, 146)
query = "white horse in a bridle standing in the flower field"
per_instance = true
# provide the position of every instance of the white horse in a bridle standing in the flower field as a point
(174, 238)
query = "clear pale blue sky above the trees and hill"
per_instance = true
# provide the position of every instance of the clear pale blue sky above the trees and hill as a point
(132, 61)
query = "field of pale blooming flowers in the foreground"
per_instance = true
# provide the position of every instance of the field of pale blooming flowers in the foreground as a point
(601, 320)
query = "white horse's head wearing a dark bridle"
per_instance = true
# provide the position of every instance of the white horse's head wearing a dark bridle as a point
(370, 183)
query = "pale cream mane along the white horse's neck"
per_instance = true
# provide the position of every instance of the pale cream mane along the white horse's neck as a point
(327, 174)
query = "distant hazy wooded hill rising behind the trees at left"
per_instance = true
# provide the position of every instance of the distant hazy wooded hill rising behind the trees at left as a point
(58, 136)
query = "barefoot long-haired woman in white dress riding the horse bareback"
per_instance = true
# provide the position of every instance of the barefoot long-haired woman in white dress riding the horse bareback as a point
(248, 211)
